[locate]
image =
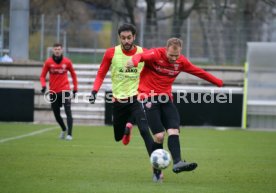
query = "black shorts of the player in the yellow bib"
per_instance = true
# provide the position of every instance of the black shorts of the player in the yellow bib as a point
(127, 111)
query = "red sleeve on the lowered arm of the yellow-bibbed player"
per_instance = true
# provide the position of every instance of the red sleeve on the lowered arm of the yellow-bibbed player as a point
(104, 67)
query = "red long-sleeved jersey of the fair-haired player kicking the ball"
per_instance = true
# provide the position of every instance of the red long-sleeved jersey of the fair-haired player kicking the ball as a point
(158, 74)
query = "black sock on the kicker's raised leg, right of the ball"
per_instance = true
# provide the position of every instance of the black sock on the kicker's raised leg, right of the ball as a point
(174, 147)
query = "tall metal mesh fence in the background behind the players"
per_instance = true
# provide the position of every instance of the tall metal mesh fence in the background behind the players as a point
(201, 44)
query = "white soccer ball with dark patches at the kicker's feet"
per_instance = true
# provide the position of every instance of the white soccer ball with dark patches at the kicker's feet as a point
(160, 159)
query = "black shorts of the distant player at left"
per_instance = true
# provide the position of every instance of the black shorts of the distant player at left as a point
(57, 99)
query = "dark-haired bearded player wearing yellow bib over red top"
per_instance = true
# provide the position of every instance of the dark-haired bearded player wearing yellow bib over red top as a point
(124, 87)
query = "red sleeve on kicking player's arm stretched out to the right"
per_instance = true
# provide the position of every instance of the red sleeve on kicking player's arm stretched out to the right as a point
(199, 72)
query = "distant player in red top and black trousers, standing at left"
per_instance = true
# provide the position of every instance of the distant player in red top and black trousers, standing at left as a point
(60, 93)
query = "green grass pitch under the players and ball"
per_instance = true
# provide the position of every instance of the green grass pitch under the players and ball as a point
(229, 161)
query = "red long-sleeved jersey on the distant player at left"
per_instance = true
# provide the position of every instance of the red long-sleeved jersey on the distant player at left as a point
(58, 80)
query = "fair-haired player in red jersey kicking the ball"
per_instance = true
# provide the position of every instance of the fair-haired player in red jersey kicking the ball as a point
(162, 66)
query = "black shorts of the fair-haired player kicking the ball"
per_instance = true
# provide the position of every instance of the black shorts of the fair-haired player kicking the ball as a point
(161, 114)
